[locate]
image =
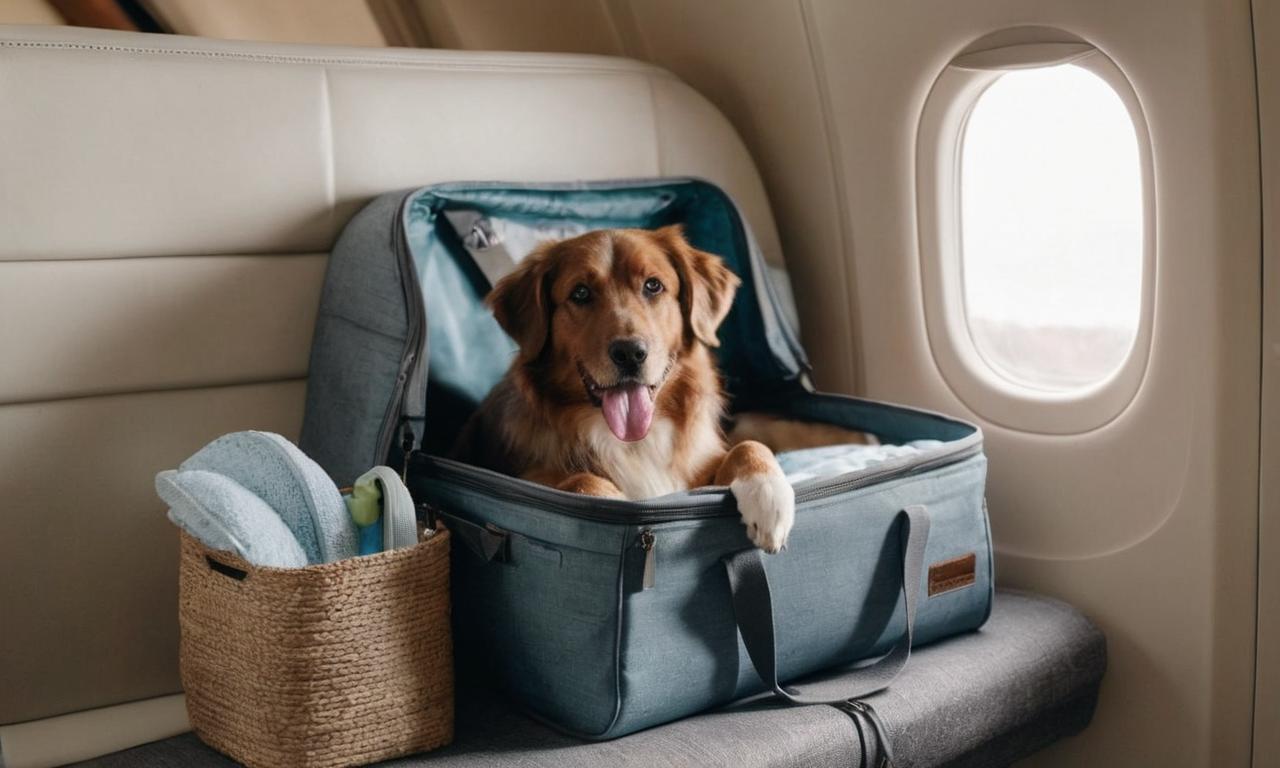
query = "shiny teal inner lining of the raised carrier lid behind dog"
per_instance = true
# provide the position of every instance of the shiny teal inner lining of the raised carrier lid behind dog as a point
(464, 236)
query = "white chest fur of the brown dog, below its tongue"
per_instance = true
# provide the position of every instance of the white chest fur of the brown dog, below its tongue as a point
(657, 465)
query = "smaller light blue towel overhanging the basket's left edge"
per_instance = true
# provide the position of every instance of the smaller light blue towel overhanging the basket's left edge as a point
(226, 515)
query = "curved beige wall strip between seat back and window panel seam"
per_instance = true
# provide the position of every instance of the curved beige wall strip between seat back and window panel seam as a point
(757, 68)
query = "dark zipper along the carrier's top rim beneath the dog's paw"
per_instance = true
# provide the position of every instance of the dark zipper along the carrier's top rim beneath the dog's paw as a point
(710, 504)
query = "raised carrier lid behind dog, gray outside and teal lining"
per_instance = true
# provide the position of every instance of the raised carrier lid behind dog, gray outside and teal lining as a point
(404, 330)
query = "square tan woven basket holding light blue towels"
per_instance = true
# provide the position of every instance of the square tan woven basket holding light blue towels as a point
(344, 664)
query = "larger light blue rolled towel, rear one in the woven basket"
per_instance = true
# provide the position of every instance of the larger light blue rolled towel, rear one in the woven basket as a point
(292, 484)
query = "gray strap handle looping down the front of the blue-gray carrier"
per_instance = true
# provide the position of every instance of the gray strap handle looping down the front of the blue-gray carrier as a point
(753, 611)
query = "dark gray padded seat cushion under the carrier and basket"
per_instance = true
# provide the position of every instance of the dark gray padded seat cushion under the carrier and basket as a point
(1027, 679)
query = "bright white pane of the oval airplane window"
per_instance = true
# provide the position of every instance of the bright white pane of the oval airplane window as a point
(1052, 227)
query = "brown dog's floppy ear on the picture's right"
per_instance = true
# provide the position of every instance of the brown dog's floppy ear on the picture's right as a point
(707, 286)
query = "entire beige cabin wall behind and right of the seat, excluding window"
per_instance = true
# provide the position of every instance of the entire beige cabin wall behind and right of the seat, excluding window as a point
(1148, 522)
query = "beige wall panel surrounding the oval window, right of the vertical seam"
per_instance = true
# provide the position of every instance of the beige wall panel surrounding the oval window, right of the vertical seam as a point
(1149, 522)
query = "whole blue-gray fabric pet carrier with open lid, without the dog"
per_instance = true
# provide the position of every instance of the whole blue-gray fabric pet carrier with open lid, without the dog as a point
(604, 618)
